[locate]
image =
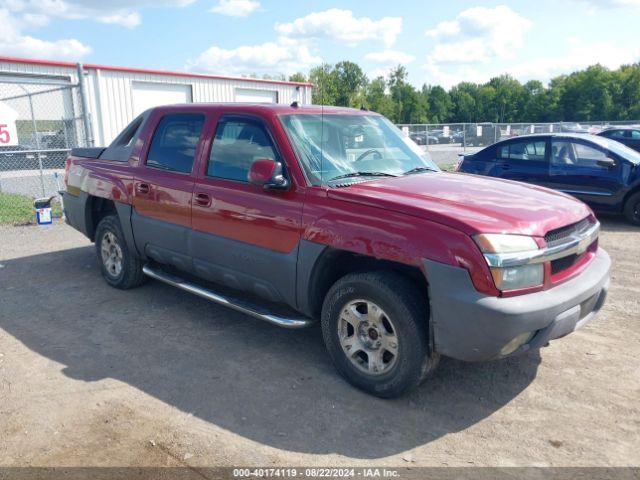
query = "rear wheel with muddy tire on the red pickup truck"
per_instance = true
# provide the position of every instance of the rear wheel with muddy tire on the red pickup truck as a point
(120, 267)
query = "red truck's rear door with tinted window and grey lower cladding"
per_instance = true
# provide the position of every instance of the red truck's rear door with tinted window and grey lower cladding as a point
(163, 187)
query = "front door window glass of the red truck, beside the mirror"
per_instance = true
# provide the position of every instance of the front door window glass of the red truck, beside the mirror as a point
(236, 145)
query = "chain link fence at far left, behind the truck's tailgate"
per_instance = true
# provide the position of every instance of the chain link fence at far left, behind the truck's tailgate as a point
(40, 121)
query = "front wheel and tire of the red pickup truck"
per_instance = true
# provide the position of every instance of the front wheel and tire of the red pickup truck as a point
(375, 328)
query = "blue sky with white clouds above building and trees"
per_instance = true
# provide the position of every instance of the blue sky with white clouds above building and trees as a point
(439, 42)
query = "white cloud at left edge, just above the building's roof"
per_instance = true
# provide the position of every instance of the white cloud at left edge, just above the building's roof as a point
(14, 42)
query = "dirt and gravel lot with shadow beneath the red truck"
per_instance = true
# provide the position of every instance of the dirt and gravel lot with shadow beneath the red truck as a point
(90, 375)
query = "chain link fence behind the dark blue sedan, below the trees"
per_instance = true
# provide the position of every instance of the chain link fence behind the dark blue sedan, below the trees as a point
(445, 142)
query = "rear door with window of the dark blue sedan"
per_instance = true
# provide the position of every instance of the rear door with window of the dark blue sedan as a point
(523, 160)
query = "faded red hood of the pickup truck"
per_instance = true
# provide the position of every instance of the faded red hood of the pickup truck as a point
(470, 203)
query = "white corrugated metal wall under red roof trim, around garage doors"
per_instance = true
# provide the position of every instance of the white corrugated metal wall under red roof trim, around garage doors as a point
(110, 98)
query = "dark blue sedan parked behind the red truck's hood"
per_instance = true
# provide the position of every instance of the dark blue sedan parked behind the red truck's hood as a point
(601, 172)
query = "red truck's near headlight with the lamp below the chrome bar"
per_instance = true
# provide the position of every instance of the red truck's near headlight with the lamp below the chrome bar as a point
(513, 277)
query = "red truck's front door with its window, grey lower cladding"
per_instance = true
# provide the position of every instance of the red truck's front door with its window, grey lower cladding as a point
(244, 236)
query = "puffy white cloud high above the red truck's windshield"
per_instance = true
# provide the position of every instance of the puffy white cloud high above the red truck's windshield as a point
(342, 26)
